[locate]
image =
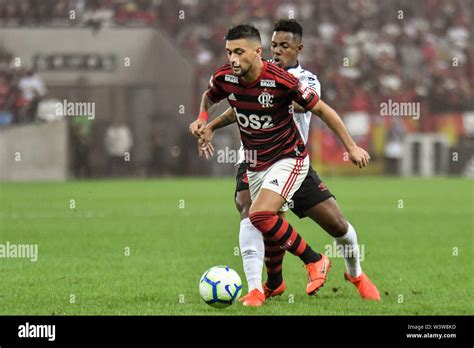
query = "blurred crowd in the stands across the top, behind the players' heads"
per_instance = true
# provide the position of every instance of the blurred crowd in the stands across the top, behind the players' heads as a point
(404, 50)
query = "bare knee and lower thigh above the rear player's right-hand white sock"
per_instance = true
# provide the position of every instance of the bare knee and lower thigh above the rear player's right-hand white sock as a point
(328, 215)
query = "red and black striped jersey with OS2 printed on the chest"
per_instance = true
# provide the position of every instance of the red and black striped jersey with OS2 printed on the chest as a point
(264, 111)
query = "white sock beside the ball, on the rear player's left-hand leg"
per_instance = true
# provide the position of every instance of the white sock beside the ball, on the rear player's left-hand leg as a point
(252, 250)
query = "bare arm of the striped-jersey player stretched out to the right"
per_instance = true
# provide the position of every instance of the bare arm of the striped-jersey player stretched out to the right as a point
(357, 155)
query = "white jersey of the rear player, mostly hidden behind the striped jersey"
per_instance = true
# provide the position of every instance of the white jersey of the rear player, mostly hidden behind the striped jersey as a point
(302, 120)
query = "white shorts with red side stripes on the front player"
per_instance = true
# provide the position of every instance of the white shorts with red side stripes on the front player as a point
(283, 177)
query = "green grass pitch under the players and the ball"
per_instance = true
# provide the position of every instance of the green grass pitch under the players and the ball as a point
(140, 247)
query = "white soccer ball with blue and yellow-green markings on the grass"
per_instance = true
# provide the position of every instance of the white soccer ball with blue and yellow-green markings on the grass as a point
(220, 286)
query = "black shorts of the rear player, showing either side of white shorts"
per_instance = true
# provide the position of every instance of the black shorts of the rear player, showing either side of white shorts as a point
(311, 192)
